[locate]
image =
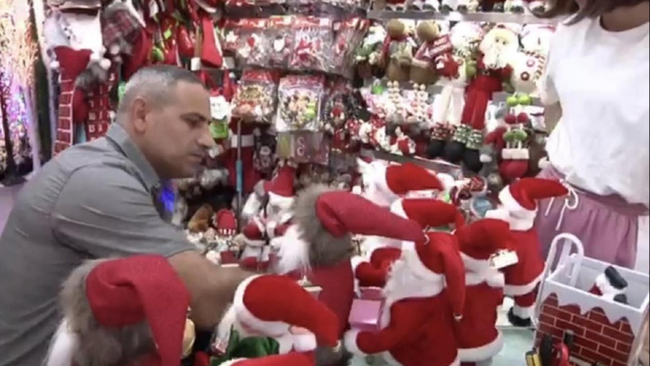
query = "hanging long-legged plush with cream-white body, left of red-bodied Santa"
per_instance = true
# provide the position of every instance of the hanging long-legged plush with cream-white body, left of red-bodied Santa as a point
(456, 70)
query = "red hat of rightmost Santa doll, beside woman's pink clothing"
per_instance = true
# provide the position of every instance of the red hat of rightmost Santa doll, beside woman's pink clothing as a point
(522, 196)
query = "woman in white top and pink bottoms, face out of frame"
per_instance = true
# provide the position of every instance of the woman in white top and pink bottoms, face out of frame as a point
(598, 76)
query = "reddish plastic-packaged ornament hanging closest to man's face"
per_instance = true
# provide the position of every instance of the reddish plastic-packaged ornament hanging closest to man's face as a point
(255, 97)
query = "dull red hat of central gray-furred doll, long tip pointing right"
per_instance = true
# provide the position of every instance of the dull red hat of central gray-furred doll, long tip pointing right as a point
(342, 213)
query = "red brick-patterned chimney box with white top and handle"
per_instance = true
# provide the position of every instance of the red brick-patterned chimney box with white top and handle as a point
(605, 331)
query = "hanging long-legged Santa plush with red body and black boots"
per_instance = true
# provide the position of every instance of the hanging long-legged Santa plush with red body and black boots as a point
(496, 52)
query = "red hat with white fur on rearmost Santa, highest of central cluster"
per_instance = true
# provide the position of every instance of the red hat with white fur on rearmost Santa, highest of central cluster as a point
(385, 184)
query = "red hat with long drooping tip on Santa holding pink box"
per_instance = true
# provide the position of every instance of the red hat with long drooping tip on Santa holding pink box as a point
(438, 257)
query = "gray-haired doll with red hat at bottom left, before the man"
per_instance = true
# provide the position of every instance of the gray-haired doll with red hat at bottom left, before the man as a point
(142, 295)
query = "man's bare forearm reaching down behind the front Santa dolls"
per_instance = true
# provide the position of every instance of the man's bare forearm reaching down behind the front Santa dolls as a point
(212, 288)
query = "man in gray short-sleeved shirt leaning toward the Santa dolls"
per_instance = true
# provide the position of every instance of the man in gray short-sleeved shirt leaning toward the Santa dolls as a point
(97, 201)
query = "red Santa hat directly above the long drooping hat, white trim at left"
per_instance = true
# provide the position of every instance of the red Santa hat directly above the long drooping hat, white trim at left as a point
(428, 212)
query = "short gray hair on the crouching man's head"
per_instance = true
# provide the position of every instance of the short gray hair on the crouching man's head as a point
(156, 84)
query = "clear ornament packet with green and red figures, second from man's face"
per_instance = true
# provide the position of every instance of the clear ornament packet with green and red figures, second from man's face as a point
(300, 98)
